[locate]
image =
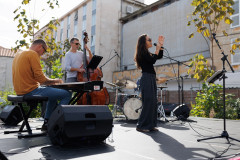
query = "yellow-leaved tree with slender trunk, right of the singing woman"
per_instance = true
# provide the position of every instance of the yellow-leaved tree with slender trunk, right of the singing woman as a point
(206, 17)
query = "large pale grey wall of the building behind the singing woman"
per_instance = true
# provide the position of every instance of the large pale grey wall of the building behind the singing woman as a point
(170, 21)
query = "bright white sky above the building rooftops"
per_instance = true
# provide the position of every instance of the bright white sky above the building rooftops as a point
(8, 28)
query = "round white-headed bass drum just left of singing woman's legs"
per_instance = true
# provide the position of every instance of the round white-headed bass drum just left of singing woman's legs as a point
(132, 108)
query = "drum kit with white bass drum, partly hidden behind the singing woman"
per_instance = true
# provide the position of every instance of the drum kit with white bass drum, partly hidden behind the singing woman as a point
(131, 105)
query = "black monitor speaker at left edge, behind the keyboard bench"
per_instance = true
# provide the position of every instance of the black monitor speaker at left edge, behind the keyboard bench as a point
(11, 115)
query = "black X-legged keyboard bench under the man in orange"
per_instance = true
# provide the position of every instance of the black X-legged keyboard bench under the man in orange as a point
(32, 102)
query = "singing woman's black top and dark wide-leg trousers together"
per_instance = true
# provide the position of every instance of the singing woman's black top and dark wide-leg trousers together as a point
(148, 117)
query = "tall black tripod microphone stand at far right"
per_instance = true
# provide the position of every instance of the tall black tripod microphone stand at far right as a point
(224, 133)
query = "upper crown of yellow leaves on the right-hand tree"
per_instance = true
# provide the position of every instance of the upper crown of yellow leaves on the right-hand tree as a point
(208, 14)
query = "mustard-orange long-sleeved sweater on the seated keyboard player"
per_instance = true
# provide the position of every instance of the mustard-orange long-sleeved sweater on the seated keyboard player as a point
(27, 72)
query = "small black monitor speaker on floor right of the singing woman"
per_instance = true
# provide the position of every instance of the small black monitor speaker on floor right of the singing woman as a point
(182, 112)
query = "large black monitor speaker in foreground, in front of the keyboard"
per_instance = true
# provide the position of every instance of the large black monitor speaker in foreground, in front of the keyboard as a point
(79, 124)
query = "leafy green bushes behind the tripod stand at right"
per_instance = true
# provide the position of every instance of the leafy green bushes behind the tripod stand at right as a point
(210, 98)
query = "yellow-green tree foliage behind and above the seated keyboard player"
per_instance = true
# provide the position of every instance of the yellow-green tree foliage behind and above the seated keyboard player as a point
(51, 61)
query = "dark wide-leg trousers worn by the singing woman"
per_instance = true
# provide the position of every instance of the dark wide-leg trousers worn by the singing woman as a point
(148, 117)
